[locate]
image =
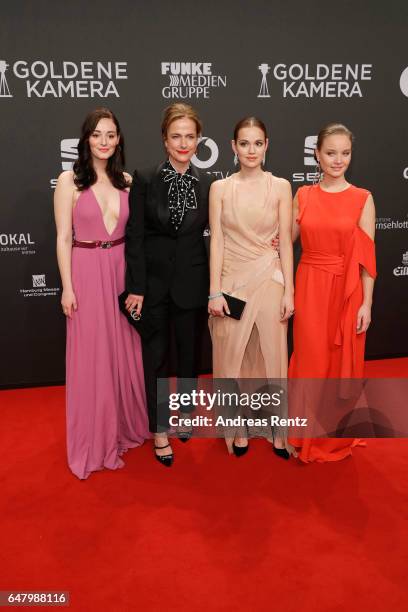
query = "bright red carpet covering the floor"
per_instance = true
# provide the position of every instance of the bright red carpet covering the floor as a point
(212, 533)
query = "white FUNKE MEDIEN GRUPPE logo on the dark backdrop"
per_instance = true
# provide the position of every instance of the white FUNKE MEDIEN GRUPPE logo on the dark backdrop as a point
(190, 79)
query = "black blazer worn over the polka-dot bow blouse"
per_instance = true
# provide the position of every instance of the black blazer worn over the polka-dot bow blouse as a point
(161, 260)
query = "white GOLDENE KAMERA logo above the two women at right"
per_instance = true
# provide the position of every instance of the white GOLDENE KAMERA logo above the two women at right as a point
(318, 80)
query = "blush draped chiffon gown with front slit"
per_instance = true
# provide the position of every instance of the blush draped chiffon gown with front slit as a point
(255, 347)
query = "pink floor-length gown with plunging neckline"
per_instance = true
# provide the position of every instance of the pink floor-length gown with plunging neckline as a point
(106, 406)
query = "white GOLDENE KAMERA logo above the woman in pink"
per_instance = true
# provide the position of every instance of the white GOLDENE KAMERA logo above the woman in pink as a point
(65, 78)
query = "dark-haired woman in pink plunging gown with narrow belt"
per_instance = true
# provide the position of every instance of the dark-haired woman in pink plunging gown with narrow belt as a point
(105, 399)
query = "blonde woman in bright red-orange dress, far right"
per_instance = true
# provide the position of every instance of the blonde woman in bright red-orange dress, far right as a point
(334, 283)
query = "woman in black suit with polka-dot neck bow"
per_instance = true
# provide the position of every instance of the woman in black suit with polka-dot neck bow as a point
(167, 266)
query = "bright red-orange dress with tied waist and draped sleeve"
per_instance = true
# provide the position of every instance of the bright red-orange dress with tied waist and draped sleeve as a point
(328, 294)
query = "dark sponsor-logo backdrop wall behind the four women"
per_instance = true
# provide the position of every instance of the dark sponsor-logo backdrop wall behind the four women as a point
(295, 65)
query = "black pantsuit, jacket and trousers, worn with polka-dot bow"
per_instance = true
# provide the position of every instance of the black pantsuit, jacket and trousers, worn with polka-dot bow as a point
(170, 269)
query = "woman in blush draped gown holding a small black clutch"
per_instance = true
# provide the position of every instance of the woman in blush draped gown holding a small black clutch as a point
(246, 212)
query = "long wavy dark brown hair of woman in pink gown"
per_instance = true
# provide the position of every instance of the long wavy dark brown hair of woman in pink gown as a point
(84, 172)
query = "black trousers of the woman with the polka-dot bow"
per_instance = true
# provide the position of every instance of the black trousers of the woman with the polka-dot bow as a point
(156, 357)
